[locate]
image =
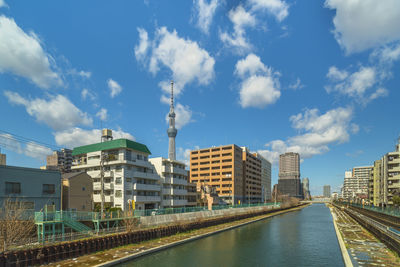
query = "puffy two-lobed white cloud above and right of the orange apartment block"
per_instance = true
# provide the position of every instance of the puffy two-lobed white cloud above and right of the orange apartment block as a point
(260, 86)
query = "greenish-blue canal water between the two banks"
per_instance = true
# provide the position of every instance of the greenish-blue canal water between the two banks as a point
(300, 238)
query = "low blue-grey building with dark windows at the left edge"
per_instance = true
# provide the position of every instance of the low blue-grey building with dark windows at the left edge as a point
(29, 189)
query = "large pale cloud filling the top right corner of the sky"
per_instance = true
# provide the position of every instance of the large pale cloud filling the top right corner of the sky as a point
(361, 25)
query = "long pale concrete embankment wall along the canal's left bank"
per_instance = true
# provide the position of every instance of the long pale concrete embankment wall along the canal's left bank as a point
(157, 220)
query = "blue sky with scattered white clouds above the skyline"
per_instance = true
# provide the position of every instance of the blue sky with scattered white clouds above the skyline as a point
(320, 78)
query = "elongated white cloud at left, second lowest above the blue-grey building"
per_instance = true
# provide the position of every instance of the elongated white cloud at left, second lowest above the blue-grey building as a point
(57, 112)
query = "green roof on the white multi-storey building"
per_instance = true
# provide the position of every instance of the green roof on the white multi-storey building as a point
(113, 144)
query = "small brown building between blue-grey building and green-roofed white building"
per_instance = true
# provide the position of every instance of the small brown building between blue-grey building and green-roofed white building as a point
(77, 192)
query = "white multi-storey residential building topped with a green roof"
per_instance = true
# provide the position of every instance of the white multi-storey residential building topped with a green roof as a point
(128, 176)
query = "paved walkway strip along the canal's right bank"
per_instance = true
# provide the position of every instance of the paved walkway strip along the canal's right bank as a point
(363, 248)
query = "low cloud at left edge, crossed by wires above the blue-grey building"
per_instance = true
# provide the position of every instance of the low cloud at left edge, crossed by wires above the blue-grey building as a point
(30, 149)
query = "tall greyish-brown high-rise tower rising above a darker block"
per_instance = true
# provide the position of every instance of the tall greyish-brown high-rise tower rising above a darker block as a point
(289, 166)
